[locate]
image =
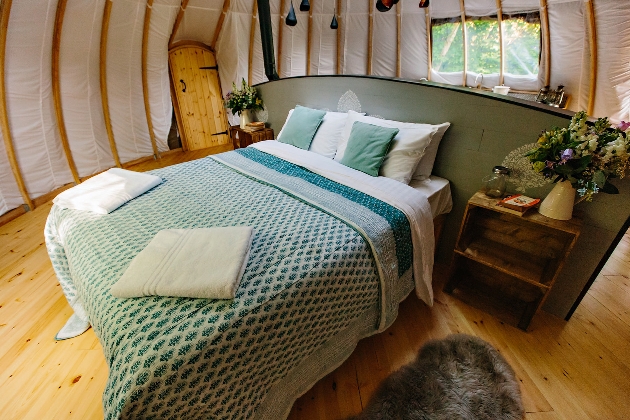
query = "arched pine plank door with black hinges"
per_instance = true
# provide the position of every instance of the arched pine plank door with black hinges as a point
(197, 97)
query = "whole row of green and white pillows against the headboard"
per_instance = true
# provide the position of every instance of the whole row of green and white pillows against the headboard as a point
(397, 150)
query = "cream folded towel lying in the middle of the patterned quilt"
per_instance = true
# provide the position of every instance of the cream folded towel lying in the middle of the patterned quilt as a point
(198, 263)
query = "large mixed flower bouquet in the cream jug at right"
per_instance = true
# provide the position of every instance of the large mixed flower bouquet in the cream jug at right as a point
(587, 155)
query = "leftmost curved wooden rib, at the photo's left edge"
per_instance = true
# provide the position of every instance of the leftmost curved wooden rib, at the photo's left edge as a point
(5, 11)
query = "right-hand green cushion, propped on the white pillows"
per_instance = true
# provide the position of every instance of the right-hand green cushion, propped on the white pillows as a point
(367, 146)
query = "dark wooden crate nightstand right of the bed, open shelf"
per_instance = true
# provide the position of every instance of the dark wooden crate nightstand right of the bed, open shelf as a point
(518, 256)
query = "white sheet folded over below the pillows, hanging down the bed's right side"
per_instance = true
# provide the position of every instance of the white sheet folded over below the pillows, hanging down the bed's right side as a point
(412, 202)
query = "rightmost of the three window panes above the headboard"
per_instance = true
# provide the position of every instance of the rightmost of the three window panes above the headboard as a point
(521, 35)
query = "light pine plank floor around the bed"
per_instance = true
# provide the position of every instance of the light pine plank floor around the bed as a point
(574, 370)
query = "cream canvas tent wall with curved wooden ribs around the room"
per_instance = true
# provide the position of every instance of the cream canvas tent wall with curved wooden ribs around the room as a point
(101, 63)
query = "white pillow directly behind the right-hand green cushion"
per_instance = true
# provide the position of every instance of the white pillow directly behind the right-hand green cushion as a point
(406, 150)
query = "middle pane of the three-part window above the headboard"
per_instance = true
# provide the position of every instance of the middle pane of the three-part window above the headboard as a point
(484, 54)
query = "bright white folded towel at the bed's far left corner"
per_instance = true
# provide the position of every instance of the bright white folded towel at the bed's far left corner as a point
(107, 191)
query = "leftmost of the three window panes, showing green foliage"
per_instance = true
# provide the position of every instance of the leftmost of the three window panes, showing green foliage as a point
(447, 45)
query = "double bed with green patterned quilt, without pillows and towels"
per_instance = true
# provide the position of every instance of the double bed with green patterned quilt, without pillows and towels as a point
(334, 253)
